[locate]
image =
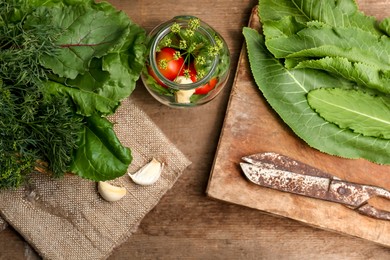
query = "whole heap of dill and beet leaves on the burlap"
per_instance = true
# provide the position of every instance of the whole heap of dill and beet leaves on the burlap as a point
(69, 62)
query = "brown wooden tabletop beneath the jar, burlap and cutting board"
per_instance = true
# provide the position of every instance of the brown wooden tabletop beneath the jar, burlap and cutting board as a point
(186, 224)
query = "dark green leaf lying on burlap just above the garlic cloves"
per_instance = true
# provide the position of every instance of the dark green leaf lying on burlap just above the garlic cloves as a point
(100, 155)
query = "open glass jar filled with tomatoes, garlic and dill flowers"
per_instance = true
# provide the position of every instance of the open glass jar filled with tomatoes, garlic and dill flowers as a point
(188, 62)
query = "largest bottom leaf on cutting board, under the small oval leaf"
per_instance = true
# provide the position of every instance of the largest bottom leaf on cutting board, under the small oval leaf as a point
(286, 92)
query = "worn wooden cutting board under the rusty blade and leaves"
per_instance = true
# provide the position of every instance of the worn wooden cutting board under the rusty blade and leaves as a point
(250, 127)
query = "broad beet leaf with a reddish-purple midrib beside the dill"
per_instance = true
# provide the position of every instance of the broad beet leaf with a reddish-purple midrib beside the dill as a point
(86, 33)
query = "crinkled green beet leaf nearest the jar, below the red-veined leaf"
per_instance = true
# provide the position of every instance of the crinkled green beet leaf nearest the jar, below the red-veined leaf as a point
(114, 75)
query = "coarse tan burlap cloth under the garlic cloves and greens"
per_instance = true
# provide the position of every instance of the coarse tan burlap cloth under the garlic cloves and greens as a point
(67, 219)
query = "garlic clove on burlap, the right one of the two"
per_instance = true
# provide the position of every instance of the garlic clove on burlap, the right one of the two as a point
(148, 174)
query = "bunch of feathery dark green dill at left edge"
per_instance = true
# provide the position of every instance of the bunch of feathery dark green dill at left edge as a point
(34, 126)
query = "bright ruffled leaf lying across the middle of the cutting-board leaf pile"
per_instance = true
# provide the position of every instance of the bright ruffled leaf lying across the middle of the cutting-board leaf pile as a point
(351, 43)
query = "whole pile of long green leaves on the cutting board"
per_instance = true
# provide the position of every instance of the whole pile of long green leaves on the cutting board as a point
(313, 48)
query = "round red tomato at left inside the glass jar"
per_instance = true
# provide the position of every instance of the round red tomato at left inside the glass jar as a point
(173, 66)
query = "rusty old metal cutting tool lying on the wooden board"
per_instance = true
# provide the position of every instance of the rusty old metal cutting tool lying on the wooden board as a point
(279, 172)
